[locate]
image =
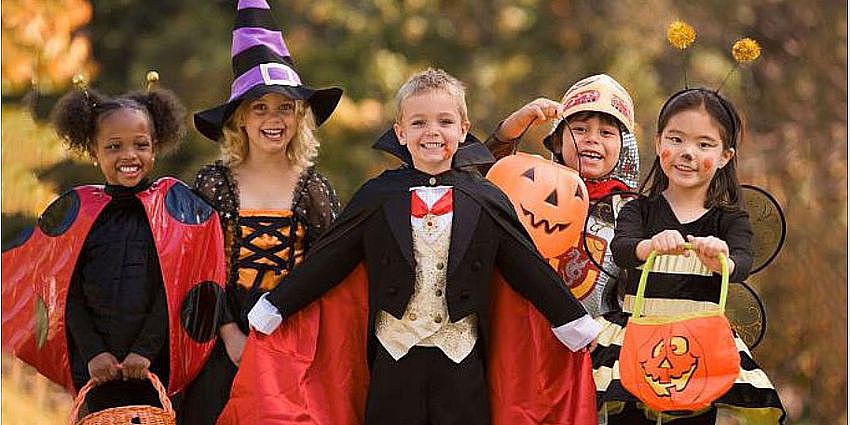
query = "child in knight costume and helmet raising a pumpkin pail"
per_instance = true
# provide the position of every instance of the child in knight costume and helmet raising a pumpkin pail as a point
(591, 130)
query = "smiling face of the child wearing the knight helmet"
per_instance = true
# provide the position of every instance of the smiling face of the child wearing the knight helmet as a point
(598, 141)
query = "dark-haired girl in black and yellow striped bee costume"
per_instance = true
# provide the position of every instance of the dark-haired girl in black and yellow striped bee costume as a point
(692, 196)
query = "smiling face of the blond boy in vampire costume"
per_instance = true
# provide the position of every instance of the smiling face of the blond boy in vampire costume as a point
(430, 125)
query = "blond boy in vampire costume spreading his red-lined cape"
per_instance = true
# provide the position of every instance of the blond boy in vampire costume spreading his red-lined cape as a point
(423, 328)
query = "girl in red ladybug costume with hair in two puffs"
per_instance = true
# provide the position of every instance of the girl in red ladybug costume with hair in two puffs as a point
(127, 254)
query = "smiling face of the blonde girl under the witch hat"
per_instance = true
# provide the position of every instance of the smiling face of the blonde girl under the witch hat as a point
(270, 122)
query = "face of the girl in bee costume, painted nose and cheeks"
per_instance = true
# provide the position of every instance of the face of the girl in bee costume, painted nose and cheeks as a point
(691, 150)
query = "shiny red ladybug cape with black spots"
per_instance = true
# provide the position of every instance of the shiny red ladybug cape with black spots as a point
(37, 270)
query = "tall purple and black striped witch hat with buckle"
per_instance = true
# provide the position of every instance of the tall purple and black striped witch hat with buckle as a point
(261, 65)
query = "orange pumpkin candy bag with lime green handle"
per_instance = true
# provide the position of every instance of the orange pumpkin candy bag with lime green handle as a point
(678, 363)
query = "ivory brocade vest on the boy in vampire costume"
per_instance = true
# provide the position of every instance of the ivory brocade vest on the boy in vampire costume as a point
(426, 319)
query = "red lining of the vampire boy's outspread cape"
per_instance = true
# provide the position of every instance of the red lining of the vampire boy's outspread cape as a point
(313, 368)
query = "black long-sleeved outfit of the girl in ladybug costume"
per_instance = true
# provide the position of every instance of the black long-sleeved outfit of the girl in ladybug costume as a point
(116, 299)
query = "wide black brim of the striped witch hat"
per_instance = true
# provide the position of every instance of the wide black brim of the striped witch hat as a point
(322, 101)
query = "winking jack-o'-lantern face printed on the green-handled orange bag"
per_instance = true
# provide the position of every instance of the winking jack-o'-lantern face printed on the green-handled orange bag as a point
(670, 366)
